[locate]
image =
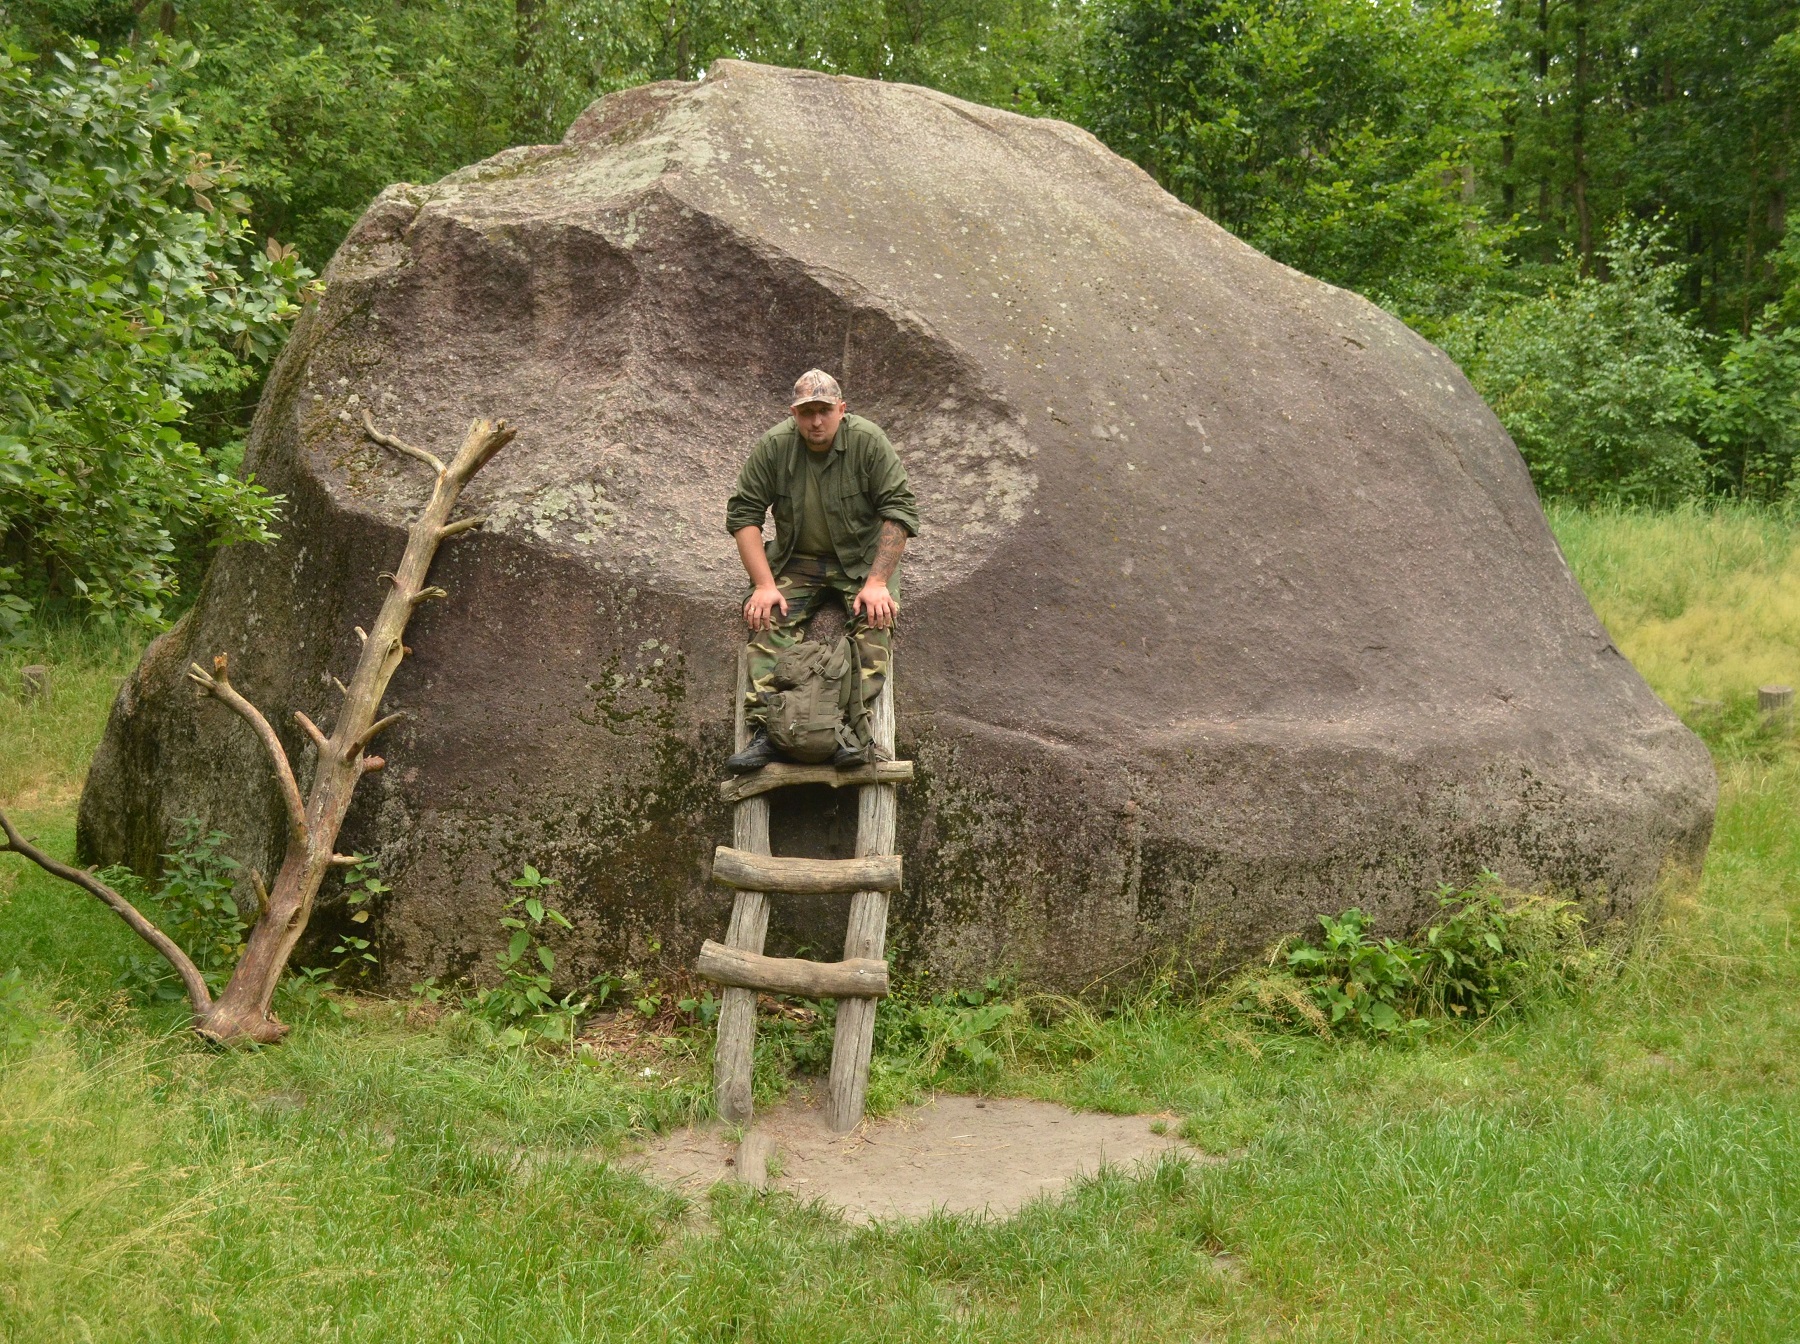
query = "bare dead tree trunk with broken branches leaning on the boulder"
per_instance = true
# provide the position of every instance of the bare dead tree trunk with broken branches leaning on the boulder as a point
(242, 1012)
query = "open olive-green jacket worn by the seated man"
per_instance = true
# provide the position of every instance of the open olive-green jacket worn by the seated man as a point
(863, 485)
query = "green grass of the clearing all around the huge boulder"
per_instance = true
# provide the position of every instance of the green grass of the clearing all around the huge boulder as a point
(1614, 1167)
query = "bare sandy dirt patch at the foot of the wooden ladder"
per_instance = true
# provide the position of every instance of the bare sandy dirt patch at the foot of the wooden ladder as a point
(984, 1156)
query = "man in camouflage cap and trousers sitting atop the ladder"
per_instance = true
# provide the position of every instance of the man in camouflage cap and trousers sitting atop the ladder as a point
(843, 519)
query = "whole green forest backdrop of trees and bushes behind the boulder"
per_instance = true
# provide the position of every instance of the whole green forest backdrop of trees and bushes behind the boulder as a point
(1583, 201)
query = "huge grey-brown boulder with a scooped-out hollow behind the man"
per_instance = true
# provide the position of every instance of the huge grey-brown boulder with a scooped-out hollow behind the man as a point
(1232, 605)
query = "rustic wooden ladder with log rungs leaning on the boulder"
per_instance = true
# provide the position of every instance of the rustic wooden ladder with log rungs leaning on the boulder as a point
(748, 866)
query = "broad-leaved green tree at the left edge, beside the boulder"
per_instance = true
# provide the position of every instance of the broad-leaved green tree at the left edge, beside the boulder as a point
(129, 283)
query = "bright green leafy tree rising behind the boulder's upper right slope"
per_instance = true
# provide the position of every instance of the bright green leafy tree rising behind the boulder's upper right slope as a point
(1333, 134)
